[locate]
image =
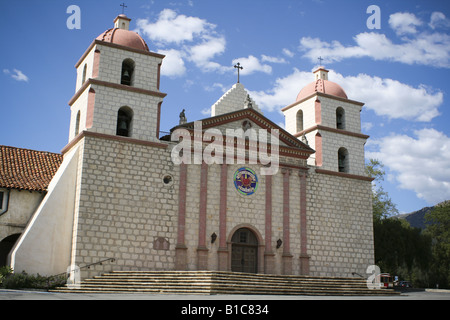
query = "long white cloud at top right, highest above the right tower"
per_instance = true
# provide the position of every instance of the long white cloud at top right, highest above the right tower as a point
(416, 47)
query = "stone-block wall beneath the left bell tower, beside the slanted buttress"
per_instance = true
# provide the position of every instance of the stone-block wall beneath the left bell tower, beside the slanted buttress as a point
(125, 209)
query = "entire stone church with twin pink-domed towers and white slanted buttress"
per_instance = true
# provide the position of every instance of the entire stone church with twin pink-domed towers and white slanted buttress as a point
(119, 194)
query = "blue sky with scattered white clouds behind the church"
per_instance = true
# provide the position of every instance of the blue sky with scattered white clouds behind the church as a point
(392, 55)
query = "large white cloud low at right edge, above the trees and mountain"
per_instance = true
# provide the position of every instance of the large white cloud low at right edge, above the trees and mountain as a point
(419, 163)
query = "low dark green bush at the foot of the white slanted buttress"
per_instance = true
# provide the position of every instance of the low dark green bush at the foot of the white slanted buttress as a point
(26, 281)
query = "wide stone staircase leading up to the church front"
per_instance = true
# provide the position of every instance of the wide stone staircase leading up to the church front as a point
(218, 282)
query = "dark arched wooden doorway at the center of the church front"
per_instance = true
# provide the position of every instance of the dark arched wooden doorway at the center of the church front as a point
(244, 251)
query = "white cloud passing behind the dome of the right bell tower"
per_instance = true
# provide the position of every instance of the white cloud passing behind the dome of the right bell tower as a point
(386, 97)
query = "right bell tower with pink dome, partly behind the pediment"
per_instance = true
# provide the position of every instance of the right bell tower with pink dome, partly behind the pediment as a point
(330, 123)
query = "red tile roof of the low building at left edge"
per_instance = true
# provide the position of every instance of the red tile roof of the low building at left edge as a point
(25, 169)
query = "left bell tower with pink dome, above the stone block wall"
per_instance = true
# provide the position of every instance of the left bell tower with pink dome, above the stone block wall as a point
(117, 87)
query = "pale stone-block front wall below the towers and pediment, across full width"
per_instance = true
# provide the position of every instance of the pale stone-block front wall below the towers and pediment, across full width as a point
(126, 211)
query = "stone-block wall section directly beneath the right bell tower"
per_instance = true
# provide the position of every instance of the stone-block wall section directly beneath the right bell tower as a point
(340, 225)
